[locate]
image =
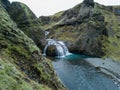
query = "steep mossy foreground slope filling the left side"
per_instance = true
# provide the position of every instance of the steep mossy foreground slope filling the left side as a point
(22, 67)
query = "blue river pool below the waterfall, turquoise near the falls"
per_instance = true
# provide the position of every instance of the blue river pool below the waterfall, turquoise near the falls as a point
(77, 74)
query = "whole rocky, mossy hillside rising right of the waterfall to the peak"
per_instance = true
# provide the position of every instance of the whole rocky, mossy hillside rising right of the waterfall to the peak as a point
(91, 29)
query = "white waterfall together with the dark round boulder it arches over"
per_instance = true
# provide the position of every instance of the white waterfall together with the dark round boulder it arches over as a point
(55, 48)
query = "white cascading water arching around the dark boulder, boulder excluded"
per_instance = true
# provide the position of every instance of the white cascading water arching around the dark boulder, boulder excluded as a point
(60, 47)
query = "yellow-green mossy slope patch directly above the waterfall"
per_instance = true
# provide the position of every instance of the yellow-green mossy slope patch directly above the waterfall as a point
(66, 33)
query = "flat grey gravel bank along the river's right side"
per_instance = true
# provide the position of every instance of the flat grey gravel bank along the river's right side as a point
(107, 66)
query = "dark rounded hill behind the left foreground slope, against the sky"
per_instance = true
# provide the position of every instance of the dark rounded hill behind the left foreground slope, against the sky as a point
(27, 22)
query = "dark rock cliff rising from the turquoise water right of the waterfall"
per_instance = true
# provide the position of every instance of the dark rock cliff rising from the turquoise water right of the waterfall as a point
(91, 39)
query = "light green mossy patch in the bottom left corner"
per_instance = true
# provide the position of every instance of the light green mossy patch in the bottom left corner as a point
(12, 79)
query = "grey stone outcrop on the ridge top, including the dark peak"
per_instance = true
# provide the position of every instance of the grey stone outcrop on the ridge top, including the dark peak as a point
(73, 17)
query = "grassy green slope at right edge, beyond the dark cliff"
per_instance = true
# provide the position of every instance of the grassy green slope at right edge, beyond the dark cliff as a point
(112, 46)
